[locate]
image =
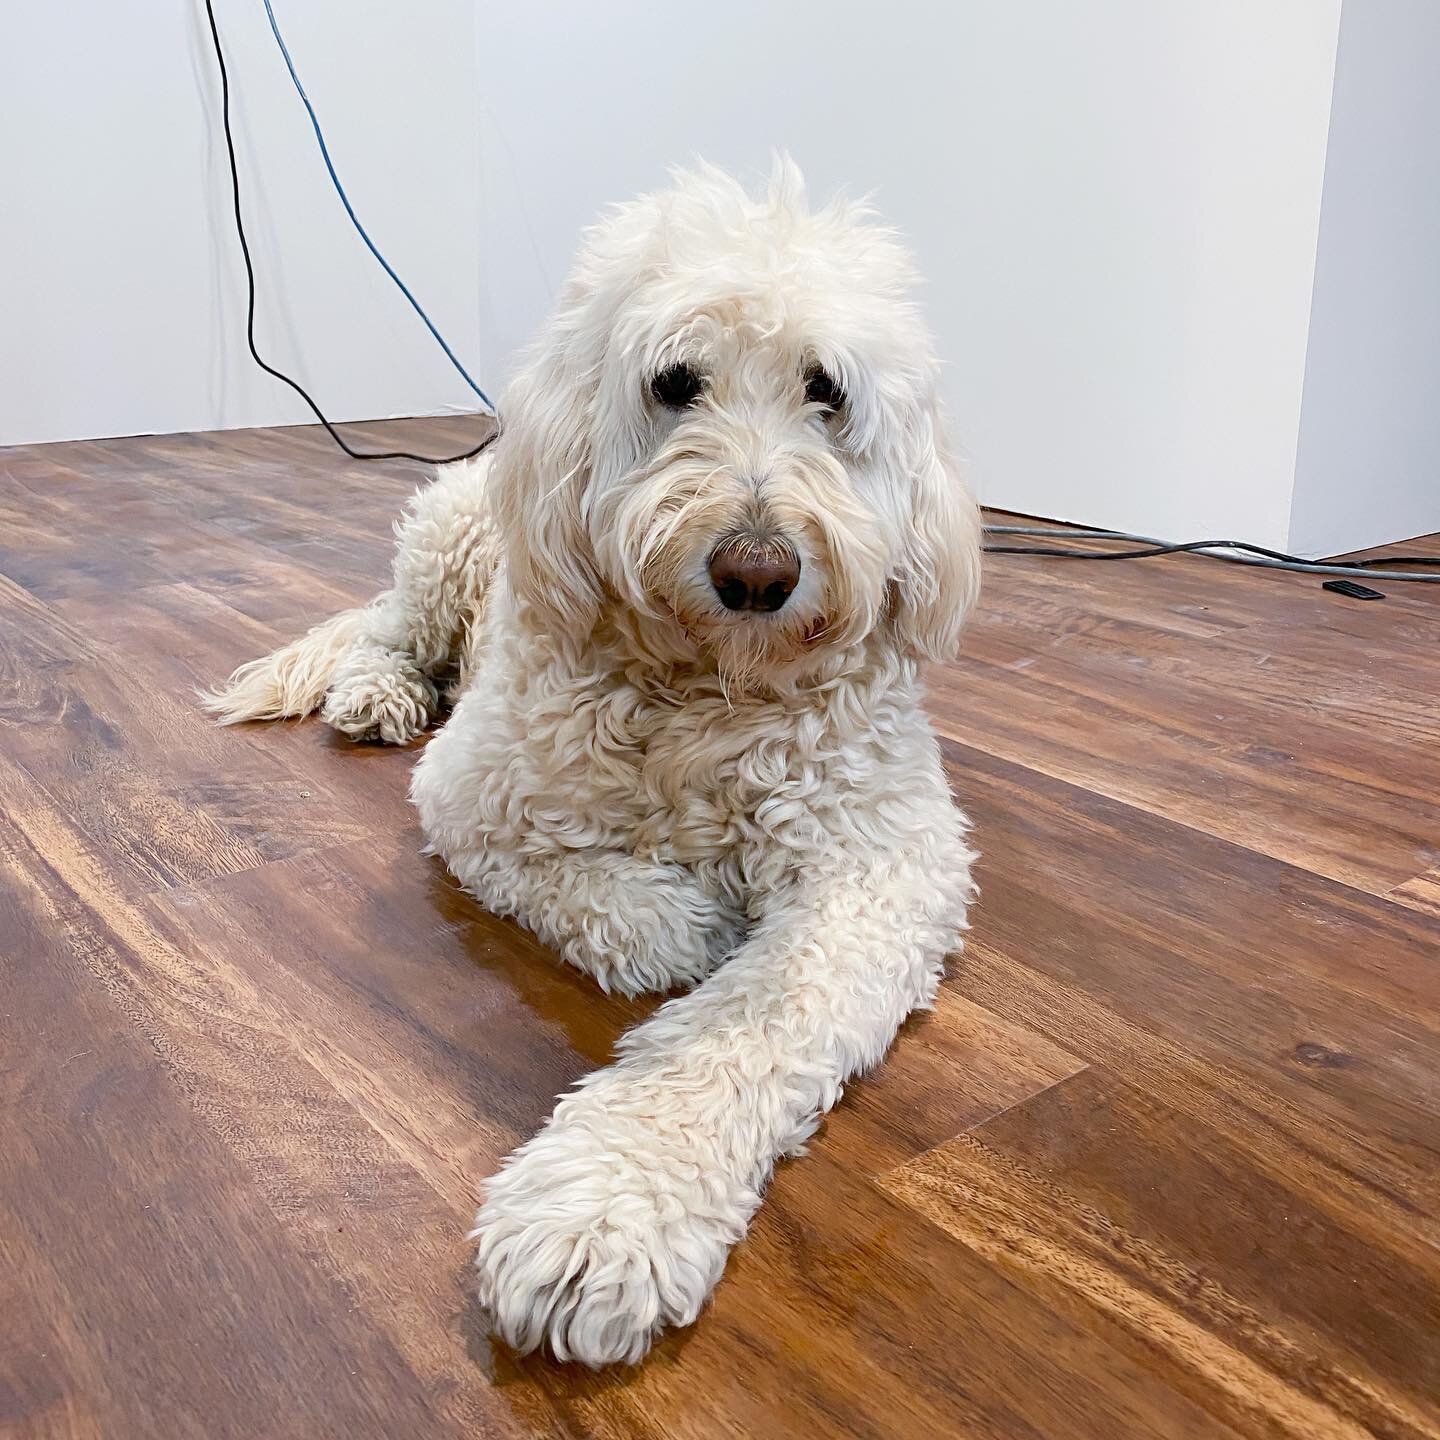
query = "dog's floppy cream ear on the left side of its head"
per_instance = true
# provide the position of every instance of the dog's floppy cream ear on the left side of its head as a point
(542, 473)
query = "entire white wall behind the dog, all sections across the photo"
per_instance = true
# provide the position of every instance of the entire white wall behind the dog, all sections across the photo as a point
(1118, 207)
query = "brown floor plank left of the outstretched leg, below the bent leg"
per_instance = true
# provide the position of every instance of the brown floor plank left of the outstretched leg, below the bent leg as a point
(392, 999)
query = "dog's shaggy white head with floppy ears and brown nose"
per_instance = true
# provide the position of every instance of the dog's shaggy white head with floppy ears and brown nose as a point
(731, 428)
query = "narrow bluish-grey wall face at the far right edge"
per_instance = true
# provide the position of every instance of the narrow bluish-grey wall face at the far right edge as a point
(1370, 438)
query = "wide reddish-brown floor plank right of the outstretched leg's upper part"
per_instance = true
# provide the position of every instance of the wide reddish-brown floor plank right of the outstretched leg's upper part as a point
(1229, 983)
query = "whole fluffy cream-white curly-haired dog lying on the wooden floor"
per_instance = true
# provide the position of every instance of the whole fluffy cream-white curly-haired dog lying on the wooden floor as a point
(689, 595)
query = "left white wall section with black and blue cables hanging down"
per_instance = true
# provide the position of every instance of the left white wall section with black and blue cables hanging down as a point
(122, 309)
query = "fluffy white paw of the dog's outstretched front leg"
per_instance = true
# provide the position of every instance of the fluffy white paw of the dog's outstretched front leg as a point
(591, 1252)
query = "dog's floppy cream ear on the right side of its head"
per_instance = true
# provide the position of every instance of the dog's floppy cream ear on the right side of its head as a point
(941, 574)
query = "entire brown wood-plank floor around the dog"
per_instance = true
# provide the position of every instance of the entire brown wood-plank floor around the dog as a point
(1163, 1163)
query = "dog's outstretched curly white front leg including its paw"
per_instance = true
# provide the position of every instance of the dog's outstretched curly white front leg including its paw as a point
(617, 1219)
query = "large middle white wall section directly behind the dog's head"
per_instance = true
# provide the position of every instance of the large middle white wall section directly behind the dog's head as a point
(1115, 205)
